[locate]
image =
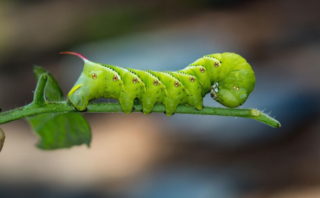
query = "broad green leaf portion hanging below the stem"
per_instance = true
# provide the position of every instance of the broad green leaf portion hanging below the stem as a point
(61, 130)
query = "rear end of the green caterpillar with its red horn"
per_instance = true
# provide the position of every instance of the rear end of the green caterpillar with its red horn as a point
(89, 86)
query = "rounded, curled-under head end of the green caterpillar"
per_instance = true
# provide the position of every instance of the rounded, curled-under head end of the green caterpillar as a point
(232, 79)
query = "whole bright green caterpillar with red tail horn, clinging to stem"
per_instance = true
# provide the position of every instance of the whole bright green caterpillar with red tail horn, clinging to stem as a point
(227, 76)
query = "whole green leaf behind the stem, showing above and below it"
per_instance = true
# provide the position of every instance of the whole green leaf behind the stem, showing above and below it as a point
(58, 130)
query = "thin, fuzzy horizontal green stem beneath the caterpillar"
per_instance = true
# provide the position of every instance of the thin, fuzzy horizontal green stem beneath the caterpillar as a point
(64, 107)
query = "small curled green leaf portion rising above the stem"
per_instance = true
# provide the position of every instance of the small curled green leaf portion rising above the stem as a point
(53, 91)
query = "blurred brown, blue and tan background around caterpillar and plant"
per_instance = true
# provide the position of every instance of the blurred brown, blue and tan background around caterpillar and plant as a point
(155, 156)
